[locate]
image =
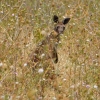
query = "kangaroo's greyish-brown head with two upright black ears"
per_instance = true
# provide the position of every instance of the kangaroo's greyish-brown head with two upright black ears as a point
(60, 26)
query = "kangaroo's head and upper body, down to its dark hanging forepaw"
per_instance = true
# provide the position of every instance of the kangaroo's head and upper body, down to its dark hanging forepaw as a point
(46, 50)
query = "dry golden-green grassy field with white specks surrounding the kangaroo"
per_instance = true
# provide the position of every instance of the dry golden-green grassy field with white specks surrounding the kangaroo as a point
(23, 23)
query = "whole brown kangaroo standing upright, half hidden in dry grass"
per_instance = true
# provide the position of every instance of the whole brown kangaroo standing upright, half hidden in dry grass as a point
(45, 55)
